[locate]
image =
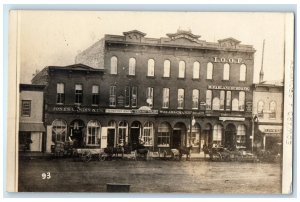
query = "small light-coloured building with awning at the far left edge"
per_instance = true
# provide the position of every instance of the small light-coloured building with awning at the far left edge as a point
(31, 127)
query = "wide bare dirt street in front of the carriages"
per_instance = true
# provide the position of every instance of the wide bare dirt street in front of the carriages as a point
(156, 176)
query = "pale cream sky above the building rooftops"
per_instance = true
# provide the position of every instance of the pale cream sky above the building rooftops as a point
(56, 37)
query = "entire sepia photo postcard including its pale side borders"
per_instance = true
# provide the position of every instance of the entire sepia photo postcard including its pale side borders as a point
(150, 102)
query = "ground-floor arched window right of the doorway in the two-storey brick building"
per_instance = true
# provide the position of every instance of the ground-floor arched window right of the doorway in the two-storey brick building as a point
(93, 133)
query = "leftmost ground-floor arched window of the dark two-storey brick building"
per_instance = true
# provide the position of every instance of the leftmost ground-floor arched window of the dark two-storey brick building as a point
(59, 130)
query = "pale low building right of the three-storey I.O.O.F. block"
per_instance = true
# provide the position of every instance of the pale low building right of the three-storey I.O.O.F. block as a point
(268, 116)
